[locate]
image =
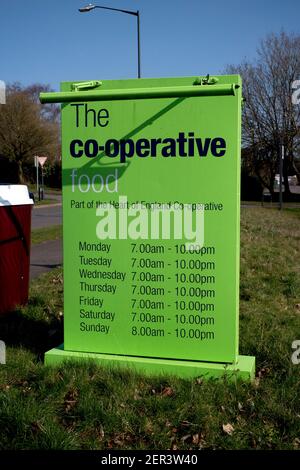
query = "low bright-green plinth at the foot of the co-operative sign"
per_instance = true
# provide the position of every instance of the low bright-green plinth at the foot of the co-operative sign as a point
(244, 368)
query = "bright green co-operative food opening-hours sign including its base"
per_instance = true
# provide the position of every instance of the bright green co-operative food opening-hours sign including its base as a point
(151, 196)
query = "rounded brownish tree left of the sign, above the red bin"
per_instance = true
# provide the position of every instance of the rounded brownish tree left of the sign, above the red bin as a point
(26, 129)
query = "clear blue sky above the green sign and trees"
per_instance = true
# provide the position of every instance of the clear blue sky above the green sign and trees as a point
(50, 41)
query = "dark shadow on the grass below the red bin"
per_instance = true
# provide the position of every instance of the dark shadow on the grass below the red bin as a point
(36, 335)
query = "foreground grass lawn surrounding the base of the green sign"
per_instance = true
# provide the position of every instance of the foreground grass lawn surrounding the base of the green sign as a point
(87, 407)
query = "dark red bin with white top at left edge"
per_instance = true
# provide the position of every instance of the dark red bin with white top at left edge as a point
(15, 228)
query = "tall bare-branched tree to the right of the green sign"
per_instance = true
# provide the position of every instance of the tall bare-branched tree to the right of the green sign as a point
(270, 119)
